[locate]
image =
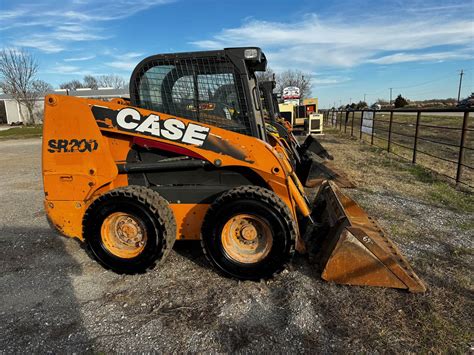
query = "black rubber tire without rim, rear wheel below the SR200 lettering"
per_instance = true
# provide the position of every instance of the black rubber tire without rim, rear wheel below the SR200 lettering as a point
(153, 214)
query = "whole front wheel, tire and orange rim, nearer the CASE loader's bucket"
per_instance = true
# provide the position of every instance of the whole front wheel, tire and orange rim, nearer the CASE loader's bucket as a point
(248, 233)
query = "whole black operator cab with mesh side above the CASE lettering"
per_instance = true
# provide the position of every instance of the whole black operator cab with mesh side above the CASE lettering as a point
(213, 87)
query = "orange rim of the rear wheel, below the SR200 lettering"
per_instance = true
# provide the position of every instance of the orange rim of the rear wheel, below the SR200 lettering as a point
(123, 235)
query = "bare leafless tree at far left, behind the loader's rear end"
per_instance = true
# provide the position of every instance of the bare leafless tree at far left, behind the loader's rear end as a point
(18, 70)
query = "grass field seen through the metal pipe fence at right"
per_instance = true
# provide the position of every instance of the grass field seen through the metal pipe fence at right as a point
(438, 141)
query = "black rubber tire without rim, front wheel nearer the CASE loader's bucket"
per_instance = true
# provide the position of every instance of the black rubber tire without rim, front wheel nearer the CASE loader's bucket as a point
(256, 201)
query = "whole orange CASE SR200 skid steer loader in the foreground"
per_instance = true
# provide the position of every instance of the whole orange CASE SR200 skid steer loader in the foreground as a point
(187, 157)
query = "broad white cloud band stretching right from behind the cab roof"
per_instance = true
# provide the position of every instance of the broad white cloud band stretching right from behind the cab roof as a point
(315, 42)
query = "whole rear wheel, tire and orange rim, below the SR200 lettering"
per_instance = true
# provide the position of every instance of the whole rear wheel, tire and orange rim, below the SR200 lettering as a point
(129, 229)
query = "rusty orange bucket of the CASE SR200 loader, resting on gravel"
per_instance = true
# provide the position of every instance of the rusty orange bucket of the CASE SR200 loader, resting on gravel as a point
(354, 249)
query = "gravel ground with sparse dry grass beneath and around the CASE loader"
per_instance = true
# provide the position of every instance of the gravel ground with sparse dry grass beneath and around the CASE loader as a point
(56, 299)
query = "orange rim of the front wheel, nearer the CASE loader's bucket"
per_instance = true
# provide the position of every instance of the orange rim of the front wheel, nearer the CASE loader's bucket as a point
(246, 238)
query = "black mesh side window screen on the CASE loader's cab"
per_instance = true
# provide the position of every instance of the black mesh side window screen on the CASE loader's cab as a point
(207, 90)
